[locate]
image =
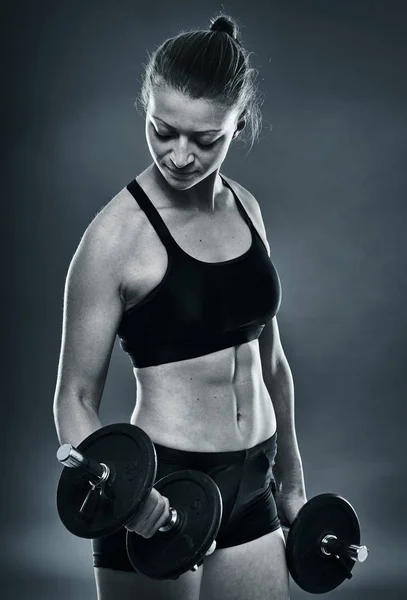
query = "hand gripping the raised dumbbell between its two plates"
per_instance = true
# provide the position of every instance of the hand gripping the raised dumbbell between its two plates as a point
(154, 514)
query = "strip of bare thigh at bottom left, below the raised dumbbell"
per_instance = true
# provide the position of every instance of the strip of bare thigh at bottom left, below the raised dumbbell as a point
(126, 585)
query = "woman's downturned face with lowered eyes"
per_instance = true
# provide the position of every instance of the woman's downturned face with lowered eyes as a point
(193, 135)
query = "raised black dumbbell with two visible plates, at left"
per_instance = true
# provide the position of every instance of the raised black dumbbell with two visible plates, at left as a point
(106, 481)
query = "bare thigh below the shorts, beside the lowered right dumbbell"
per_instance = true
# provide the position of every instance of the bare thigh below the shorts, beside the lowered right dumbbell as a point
(255, 570)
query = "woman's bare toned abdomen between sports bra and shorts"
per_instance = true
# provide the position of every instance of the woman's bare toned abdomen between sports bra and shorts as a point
(213, 403)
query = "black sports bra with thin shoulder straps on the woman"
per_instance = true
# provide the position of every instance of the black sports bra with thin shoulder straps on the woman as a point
(199, 307)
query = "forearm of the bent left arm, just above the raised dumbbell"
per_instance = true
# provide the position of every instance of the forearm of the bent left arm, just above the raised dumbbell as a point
(74, 420)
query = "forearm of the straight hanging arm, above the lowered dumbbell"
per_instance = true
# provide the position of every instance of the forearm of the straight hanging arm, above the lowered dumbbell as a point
(288, 470)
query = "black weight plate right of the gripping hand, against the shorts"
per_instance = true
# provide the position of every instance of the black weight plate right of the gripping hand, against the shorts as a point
(198, 502)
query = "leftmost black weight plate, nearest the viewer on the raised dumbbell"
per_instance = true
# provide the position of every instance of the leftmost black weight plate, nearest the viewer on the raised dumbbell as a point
(129, 453)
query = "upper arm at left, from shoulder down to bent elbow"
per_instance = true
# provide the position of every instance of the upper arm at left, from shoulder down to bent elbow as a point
(92, 313)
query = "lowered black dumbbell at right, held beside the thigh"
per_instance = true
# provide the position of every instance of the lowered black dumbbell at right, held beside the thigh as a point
(323, 544)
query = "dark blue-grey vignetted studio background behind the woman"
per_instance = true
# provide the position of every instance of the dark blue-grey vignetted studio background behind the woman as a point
(330, 179)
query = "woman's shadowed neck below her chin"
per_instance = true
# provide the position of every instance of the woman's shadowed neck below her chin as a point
(202, 197)
